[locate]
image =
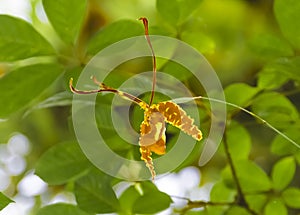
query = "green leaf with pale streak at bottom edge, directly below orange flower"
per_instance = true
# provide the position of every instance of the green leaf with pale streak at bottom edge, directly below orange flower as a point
(145, 198)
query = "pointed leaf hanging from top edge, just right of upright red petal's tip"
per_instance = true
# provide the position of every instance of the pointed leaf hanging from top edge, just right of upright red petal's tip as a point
(169, 10)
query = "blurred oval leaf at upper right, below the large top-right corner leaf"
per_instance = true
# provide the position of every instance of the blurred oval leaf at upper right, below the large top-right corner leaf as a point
(270, 46)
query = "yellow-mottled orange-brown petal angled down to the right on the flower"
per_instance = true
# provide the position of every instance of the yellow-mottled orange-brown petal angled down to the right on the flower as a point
(177, 117)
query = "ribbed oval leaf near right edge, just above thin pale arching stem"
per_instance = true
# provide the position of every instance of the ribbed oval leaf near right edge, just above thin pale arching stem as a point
(275, 108)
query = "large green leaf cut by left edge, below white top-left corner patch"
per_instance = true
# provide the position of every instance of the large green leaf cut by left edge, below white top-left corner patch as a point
(19, 40)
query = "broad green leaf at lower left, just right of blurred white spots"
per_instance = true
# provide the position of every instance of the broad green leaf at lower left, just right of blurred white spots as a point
(62, 163)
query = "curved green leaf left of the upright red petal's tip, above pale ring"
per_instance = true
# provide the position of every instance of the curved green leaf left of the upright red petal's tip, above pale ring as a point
(113, 33)
